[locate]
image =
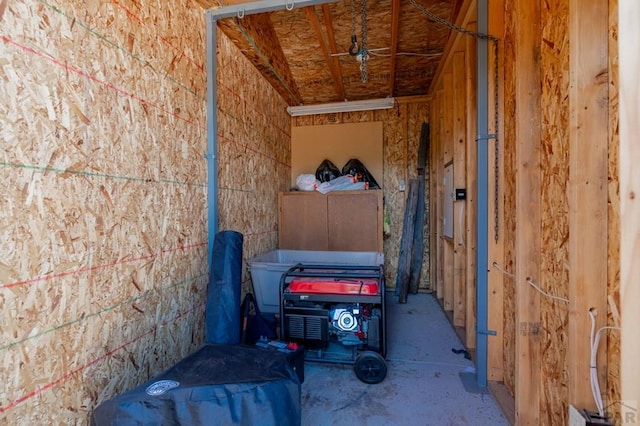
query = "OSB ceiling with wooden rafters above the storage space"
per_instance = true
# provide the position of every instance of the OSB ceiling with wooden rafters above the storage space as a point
(303, 53)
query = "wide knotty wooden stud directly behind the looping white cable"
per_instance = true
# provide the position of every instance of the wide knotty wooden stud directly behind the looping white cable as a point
(588, 191)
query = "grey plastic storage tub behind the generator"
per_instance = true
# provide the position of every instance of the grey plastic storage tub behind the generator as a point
(267, 269)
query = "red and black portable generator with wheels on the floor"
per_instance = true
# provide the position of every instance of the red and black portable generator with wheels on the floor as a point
(337, 312)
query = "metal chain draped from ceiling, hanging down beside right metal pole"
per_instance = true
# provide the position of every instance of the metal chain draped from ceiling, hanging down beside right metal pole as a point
(496, 98)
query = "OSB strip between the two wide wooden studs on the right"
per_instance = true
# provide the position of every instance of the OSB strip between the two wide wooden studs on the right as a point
(554, 232)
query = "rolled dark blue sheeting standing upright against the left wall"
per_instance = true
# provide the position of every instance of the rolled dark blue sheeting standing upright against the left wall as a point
(222, 318)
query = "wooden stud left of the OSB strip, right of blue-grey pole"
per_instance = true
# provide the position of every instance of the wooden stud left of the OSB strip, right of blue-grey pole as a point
(527, 241)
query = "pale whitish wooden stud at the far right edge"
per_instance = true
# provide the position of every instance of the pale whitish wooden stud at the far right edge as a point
(629, 36)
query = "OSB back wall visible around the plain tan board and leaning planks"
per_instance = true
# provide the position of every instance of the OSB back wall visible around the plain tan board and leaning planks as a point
(401, 139)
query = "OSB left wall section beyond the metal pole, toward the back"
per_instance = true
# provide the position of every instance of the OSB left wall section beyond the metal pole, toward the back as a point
(254, 155)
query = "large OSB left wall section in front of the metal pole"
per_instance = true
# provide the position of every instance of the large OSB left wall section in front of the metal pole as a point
(103, 245)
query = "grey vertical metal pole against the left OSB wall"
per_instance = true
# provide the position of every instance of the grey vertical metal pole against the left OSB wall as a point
(212, 139)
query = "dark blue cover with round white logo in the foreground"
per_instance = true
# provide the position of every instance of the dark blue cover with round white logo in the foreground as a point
(217, 385)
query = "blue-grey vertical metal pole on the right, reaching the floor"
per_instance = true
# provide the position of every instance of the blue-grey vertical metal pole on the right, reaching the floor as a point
(483, 198)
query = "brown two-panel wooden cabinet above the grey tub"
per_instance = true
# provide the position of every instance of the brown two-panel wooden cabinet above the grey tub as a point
(337, 221)
